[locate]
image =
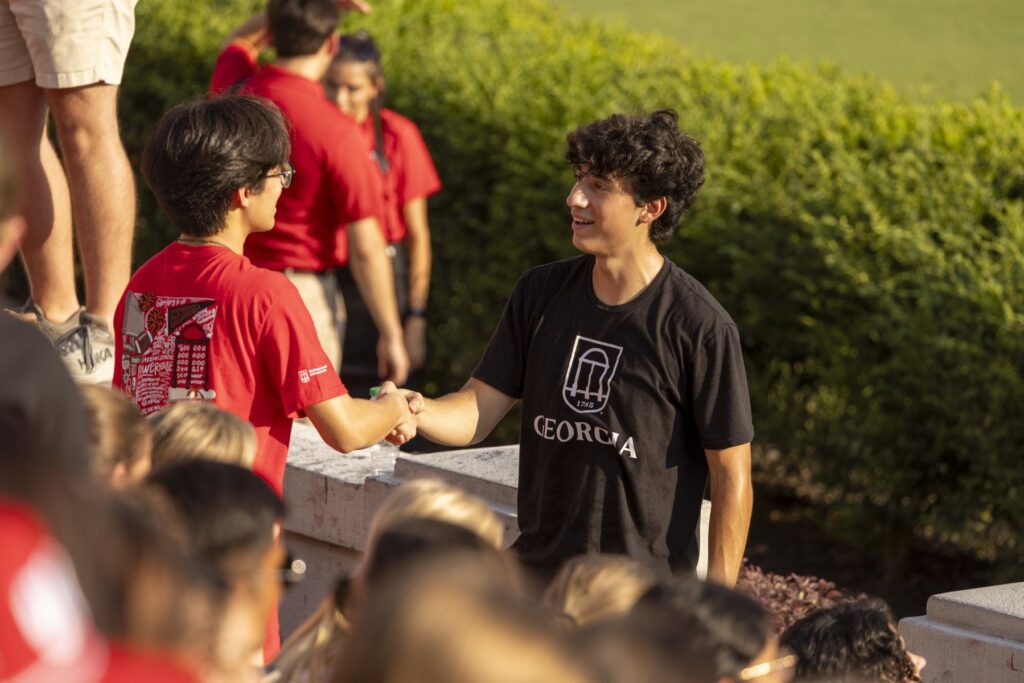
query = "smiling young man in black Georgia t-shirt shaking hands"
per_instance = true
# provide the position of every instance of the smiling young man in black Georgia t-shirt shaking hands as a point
(630, 372)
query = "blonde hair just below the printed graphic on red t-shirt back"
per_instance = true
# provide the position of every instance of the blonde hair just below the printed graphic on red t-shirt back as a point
(192, 430)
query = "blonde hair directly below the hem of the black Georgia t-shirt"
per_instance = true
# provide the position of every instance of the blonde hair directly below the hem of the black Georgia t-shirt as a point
(596, 588)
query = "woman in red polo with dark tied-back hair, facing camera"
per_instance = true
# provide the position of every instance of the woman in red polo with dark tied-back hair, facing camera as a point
(356, 83)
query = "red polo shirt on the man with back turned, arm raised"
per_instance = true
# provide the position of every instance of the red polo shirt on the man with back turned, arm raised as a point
(334, 182)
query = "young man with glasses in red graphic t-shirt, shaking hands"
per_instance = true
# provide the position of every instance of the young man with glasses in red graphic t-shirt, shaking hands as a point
(200, 322)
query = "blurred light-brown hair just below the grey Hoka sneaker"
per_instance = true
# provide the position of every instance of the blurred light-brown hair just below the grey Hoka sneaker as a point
(118, 433)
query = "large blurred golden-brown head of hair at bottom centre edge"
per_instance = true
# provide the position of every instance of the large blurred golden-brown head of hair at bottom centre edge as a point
(451, 622)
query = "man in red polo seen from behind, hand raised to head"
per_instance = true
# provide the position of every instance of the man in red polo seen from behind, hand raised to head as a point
(335, 184)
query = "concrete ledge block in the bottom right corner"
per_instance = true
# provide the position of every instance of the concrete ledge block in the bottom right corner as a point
(970, 636)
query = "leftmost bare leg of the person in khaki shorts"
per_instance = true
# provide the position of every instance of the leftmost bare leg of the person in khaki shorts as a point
(47, 249)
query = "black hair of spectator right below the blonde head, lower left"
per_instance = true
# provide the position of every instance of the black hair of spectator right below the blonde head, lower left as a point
(228, 510)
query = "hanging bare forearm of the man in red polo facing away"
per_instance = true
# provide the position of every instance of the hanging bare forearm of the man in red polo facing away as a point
(372, 272)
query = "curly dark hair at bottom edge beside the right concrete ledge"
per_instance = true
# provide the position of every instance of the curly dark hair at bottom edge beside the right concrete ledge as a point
(856, 641)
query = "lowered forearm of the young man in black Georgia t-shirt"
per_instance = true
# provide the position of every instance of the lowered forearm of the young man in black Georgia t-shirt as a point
(732, 504)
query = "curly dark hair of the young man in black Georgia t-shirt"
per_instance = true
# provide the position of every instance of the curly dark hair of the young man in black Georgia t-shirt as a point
(650, 155)
